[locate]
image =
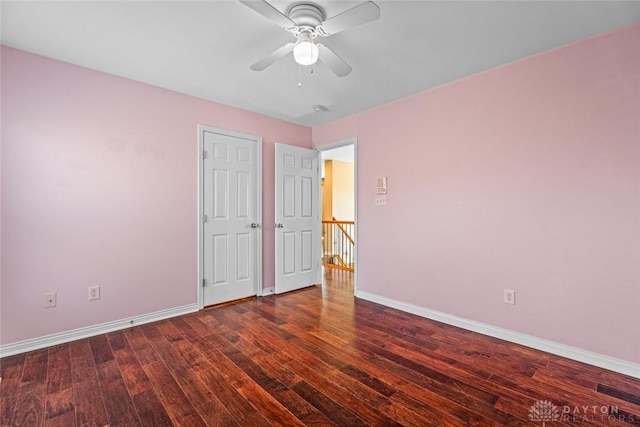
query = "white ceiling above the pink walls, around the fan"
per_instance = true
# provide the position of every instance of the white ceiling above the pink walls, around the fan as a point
(205, 48)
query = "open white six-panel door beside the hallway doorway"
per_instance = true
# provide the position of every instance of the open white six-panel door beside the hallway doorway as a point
(297, 218)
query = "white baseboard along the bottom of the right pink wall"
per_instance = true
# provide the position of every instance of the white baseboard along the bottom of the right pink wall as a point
(595, 359)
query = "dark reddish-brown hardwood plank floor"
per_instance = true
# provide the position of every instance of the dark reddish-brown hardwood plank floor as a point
(312, 357)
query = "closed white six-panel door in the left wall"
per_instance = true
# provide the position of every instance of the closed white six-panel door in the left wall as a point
(231, 211)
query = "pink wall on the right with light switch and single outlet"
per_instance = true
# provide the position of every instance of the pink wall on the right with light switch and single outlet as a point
(524, 177)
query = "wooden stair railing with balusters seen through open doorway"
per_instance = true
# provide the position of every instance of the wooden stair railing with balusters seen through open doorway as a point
(338, 244)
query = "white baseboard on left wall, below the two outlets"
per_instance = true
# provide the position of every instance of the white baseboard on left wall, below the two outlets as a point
(89, 331)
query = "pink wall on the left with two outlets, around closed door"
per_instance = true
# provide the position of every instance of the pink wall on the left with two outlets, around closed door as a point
(99, 184)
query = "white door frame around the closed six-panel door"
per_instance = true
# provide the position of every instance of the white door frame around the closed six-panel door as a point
(200, 215)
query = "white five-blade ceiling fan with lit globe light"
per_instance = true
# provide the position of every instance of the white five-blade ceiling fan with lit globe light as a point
(306, 21)
